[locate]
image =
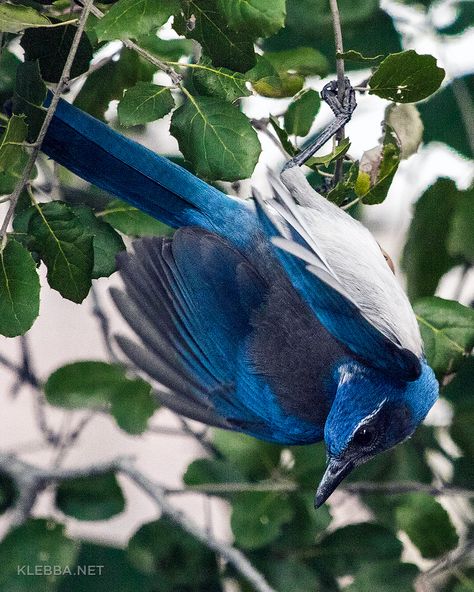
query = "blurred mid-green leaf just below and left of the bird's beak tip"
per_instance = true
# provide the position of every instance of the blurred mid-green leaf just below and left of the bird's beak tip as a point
(257, 518)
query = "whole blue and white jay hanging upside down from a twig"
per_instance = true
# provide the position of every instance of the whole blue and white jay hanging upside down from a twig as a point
(277, 317)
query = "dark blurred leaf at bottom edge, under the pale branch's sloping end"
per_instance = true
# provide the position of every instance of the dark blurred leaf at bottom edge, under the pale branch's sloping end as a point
(179, 560)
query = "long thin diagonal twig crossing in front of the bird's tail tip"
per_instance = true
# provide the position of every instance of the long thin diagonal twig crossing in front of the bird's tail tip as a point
(63, 81)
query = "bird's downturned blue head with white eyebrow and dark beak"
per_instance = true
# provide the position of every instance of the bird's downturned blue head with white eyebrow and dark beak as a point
(370, 414)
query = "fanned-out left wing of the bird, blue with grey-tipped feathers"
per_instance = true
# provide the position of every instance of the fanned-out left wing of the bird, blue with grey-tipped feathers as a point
(189, 300)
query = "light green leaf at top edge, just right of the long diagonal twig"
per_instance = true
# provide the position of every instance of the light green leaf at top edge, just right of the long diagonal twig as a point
(132, 18)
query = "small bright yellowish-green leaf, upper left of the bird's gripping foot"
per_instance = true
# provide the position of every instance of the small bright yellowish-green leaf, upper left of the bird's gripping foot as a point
(305, 61)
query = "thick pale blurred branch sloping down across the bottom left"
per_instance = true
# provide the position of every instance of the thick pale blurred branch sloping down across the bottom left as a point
(30, 480)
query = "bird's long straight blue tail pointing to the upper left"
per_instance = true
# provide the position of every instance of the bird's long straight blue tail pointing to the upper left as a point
(135, 174)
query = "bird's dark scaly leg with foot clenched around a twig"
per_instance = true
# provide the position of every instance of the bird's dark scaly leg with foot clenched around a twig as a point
(342, 109)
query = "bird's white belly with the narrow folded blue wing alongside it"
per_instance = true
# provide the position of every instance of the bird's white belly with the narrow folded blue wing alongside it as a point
(349, 286)
